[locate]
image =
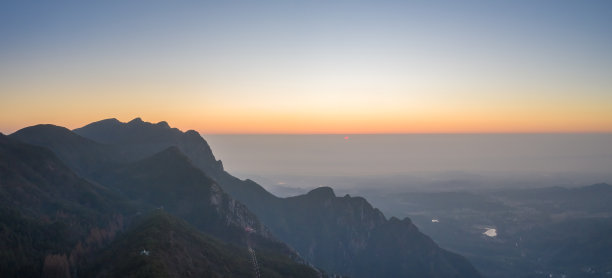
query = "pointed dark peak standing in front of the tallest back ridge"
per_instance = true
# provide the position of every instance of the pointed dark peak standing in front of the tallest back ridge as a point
(168, 180)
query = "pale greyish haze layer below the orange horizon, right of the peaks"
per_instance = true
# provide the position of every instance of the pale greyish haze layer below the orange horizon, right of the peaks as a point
(434, 161)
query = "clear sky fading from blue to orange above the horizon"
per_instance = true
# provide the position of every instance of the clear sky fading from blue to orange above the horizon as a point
(310, 66)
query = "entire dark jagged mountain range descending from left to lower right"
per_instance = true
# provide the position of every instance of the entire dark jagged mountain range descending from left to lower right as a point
(138, 199)
